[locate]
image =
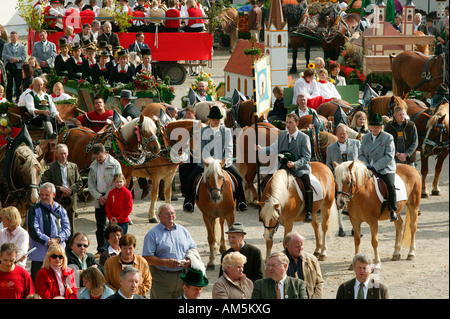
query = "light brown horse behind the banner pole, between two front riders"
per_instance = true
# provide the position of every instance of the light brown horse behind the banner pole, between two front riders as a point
(246, 156)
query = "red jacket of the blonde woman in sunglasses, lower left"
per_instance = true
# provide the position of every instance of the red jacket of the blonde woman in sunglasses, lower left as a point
(47, 285)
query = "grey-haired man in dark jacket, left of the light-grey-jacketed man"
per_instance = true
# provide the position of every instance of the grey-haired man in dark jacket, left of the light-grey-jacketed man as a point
(67, 180)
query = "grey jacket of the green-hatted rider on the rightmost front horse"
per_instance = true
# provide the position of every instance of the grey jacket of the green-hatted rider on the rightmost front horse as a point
(381, 152)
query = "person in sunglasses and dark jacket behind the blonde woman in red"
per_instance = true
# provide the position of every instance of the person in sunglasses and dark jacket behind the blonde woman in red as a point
(77, 256)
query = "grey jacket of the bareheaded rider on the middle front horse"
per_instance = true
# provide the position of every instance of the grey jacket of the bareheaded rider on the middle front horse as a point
(300, 148)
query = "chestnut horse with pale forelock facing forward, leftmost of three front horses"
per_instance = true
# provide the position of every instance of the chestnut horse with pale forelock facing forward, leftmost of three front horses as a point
(216, 201)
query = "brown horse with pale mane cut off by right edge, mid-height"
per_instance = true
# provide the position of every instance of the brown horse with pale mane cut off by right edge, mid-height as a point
(436, 143)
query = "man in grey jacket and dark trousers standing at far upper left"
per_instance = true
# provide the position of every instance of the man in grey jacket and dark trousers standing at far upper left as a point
(14, 55)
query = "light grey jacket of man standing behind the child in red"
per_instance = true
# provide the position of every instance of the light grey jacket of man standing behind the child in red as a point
(112, 168)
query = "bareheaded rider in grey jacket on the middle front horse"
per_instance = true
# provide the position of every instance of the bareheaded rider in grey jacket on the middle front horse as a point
(296, 142)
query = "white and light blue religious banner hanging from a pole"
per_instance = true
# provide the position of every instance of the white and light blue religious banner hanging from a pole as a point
(263, 84)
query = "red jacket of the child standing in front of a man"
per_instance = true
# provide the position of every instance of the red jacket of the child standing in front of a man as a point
(119, 204)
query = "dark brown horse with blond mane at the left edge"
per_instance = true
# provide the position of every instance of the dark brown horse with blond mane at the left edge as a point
(21, 189)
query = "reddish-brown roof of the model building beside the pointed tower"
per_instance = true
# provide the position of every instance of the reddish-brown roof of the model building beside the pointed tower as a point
(239, 62)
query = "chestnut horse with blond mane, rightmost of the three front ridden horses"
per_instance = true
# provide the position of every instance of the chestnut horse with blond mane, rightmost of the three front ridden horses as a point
(357, 194)
